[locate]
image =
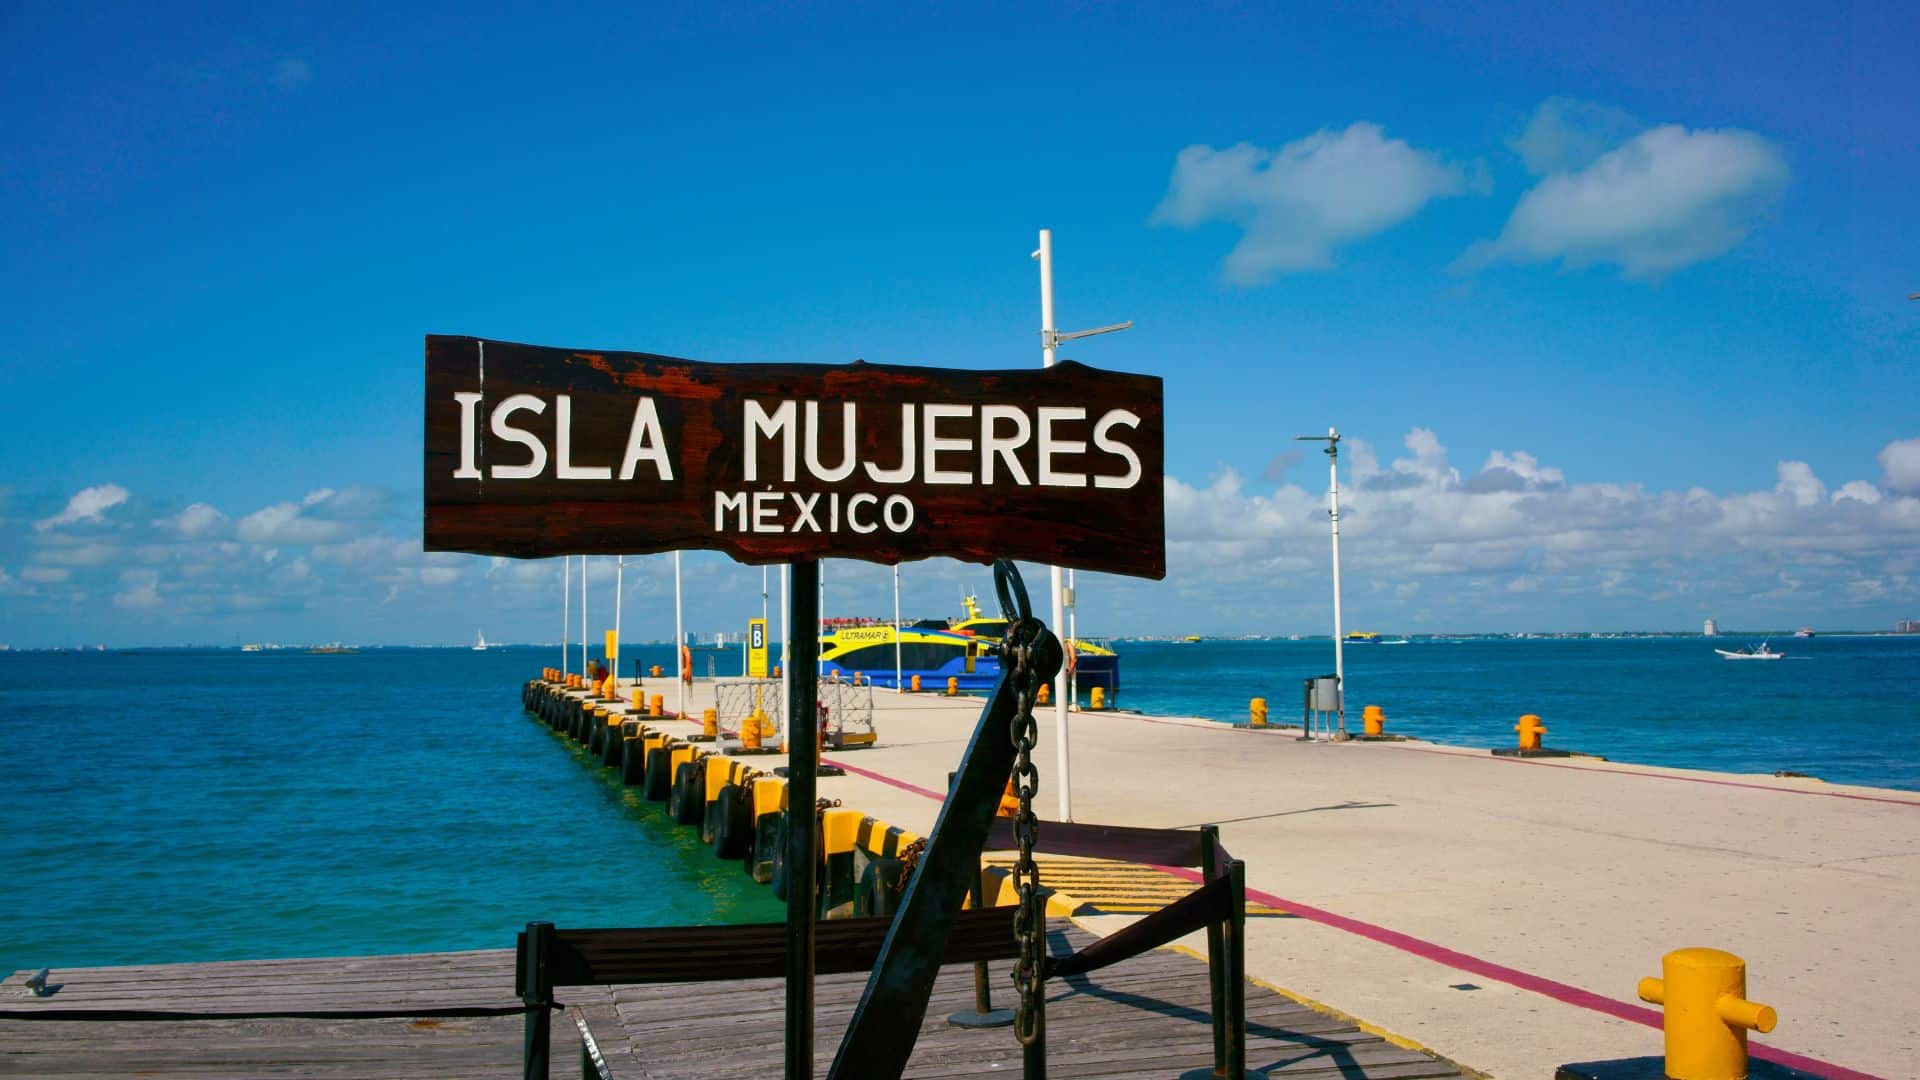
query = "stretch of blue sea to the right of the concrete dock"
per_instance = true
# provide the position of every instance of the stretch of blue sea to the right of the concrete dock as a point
(1840, 708)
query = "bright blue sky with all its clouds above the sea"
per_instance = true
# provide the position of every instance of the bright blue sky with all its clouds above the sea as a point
(1608, 303)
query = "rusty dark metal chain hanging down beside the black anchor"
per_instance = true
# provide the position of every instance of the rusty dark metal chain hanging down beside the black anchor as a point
(1030, 927)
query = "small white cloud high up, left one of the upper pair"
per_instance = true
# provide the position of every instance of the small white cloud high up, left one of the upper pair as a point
(1307, 199)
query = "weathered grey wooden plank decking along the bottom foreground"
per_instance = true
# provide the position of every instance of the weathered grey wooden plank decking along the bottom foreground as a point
(1147, 1018)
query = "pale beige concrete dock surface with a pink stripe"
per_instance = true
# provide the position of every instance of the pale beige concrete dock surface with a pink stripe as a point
(1497, 912)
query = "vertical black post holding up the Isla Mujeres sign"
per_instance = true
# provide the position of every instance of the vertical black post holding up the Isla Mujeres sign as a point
(804, 743)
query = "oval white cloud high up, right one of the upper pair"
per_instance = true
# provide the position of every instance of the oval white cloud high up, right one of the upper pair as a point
(1664, 201)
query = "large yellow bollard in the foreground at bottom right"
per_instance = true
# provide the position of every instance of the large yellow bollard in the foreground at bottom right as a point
(1706, 1014)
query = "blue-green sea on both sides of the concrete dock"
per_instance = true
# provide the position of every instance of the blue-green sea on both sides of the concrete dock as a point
(185, 806)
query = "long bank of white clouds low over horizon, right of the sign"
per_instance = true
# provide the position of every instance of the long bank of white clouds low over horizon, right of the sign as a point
(1420, 522)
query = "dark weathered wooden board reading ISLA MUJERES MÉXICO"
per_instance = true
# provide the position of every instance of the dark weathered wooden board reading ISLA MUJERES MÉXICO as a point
(544, 453)
